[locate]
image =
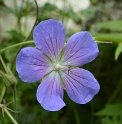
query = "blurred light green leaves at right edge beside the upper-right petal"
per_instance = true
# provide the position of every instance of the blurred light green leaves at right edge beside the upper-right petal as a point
(113, 32)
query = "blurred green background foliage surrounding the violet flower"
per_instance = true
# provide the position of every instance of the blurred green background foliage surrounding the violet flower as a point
(103, 18)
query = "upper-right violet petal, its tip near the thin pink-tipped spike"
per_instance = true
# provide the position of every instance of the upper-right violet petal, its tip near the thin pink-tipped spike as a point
(80, 49)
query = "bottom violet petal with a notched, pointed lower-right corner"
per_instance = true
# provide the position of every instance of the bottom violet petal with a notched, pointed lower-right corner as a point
(50, 93)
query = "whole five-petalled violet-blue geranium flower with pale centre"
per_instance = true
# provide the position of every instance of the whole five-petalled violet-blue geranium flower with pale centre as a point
(56, 63)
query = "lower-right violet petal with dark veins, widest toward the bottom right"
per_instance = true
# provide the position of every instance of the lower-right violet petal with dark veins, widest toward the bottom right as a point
(80, 85)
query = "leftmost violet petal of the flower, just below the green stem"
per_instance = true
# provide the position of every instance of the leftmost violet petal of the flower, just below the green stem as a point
(31, 65)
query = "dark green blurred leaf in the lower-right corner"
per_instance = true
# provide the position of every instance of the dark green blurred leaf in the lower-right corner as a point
(110, 110)
